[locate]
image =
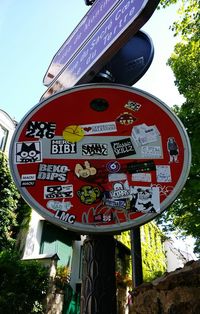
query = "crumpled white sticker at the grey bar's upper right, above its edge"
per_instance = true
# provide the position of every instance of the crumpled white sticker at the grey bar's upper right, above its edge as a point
(143, 134)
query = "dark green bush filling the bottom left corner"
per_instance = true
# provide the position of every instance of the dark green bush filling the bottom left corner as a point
(23, 284)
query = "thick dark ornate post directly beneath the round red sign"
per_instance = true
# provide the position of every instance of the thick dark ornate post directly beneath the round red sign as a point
(98, 293)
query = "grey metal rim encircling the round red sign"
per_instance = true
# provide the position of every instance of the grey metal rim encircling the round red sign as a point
(111, 229)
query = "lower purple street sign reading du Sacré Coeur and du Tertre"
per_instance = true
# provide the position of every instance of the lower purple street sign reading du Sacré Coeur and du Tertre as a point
(124, 20)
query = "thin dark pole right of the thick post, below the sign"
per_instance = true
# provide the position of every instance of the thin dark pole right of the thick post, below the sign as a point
(137, 276)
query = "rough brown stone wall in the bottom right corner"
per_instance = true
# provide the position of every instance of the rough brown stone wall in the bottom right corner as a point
(177, 292)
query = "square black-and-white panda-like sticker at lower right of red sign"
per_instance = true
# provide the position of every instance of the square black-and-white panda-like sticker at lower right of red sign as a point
(145, 199)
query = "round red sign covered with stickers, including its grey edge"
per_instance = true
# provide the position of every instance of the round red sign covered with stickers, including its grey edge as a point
(100, 158)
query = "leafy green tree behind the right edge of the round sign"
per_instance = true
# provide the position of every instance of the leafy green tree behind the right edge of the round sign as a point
(184, 215)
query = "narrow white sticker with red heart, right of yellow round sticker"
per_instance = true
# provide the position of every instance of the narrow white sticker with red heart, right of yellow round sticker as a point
(105, 127)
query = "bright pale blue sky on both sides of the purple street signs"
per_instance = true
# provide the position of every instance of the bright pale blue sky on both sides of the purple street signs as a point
(32, 31)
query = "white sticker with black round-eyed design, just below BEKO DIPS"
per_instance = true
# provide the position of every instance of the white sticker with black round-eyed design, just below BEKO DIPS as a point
(58, 191)
